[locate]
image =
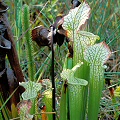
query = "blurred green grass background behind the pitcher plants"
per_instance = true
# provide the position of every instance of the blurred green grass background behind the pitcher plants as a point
(104, 21)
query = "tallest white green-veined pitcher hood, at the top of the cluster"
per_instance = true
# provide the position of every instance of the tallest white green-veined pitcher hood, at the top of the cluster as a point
(76, 18)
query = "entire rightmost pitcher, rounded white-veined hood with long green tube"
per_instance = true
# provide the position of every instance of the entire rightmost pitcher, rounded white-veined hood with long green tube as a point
(96, 55)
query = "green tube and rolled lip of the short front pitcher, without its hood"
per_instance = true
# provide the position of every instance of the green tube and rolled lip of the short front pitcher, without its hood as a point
(76, 99)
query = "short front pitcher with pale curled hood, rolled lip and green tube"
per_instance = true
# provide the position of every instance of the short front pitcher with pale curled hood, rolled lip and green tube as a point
(75, 88)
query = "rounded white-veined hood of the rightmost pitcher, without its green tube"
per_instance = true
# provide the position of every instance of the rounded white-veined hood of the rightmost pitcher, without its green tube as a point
(97, 54)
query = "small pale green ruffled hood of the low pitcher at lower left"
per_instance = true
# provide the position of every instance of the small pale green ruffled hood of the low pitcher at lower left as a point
(31, 89)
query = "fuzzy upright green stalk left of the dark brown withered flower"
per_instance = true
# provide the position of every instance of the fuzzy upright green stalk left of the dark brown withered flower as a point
(29, 44)
